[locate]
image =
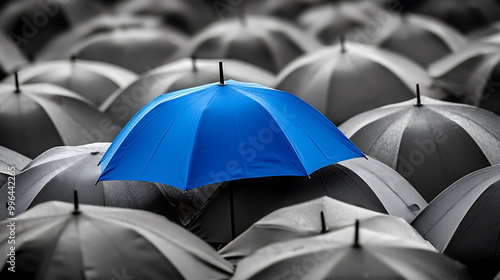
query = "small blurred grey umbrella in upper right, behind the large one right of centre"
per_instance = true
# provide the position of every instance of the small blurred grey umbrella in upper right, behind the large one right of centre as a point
(421, 38)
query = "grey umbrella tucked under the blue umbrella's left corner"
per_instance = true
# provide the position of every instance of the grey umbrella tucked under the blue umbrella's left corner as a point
(56, 173)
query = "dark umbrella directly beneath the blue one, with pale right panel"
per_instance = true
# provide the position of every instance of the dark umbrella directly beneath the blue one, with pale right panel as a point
(367, 183)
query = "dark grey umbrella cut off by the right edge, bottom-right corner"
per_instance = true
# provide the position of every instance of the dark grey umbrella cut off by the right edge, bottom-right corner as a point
(462, 222)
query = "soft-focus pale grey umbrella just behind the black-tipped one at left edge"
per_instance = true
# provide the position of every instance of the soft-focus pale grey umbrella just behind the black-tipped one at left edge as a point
(91, 79)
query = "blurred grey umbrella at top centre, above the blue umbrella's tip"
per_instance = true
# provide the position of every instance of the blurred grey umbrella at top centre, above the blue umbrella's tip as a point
(263, 41)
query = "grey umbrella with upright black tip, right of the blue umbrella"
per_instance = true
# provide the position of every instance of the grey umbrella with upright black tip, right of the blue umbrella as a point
(432, 144)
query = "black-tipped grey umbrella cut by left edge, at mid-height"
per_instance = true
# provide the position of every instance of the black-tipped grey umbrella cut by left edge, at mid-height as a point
(37, 117)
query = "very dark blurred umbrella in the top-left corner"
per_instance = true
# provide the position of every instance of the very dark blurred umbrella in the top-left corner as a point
(32, 23)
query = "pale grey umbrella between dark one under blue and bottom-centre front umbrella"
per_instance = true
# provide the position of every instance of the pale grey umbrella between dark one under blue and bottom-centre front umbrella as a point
(315, 218)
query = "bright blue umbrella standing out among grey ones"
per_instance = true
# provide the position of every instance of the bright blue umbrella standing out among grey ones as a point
(224, 131)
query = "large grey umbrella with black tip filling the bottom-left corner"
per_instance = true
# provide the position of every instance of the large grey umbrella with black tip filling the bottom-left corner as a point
(55, 242)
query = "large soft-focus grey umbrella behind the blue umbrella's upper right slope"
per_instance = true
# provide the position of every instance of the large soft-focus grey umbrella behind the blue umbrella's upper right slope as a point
(343, 81)
